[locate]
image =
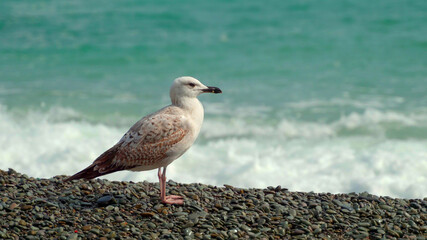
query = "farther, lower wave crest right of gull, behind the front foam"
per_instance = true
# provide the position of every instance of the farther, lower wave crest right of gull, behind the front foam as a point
(370, 122)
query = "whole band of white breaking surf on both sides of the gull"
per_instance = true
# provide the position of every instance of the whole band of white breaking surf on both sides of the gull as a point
(301, 156)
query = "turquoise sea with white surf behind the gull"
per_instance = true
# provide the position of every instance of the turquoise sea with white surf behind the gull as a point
(322, 96)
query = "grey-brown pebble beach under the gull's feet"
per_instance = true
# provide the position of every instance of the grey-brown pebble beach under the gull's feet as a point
(33, 208)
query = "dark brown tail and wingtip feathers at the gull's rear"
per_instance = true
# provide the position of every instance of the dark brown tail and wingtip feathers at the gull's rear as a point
(101, 166)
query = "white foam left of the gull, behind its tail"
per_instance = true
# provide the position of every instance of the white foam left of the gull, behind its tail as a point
(44, 145)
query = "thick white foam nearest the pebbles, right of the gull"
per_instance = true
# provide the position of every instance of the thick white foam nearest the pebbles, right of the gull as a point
(393, 168)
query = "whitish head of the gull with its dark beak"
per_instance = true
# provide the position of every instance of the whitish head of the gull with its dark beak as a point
(189, 87)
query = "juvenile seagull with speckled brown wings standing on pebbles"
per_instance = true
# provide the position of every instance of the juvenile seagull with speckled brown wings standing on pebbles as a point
(157, 139)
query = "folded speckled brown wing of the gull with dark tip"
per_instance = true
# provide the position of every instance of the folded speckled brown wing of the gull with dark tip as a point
(146, 143)
